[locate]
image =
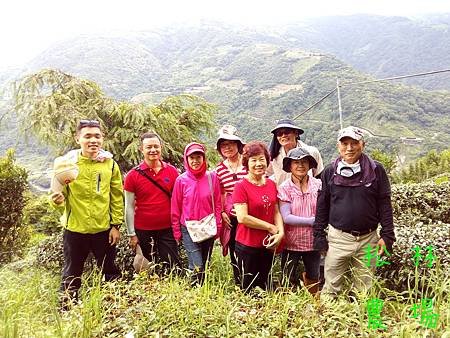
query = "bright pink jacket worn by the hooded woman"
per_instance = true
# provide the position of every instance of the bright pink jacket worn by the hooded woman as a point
(191, 200)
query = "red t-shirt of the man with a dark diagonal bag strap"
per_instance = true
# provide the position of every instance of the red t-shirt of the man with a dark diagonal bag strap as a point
(152, 206)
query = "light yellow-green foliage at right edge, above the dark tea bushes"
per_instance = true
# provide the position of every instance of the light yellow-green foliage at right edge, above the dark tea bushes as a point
(430, 165)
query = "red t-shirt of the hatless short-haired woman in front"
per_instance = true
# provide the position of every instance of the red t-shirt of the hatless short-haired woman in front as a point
(261, 201)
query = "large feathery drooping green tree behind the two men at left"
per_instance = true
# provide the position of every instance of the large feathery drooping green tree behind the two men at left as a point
(50, 103)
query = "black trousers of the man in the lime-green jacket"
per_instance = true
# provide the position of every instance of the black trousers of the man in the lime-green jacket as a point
(76, 250)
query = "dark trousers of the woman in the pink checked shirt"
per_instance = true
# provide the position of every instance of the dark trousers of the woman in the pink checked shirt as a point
(290, 263)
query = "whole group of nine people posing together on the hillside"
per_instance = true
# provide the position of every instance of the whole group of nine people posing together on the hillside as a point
(259, 200)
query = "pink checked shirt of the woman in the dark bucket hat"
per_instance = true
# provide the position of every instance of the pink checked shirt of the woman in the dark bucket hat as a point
(300, 238)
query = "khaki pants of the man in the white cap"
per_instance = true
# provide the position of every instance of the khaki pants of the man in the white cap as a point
(346, 253)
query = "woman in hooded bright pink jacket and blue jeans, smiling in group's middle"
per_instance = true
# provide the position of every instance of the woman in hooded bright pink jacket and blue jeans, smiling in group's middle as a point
(192, 200)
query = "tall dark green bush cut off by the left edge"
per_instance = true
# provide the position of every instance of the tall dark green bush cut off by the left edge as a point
(13, 185)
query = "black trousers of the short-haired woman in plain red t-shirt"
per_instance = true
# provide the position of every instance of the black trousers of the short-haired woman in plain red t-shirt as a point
(254, 266)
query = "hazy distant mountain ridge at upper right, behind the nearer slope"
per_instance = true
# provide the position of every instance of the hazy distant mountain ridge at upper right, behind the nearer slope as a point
(382, 46)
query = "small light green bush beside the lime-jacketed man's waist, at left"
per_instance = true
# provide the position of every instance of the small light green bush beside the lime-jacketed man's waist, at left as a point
(39, 214)
